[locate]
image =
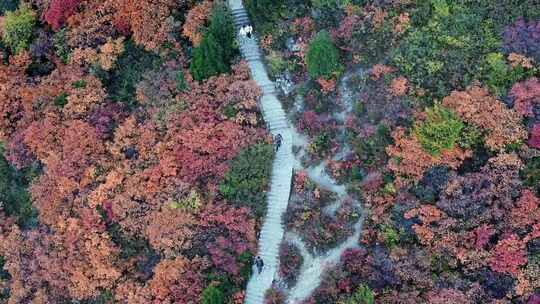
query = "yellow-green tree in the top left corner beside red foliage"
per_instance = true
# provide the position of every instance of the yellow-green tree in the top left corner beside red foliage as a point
(19, 28)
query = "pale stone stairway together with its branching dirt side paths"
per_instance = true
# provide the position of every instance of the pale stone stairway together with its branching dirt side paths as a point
(273, 229)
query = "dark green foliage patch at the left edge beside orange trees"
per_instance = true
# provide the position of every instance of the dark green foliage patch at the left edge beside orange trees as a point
(14, 195)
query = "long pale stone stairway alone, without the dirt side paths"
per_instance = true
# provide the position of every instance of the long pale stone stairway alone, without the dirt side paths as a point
(280, 184)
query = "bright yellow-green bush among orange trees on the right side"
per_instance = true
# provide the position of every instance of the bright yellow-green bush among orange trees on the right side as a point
(440, 131)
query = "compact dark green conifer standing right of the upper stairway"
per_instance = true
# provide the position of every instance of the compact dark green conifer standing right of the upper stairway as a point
(322, 58)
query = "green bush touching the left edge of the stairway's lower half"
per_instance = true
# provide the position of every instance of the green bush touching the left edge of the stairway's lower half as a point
(248, 177)
